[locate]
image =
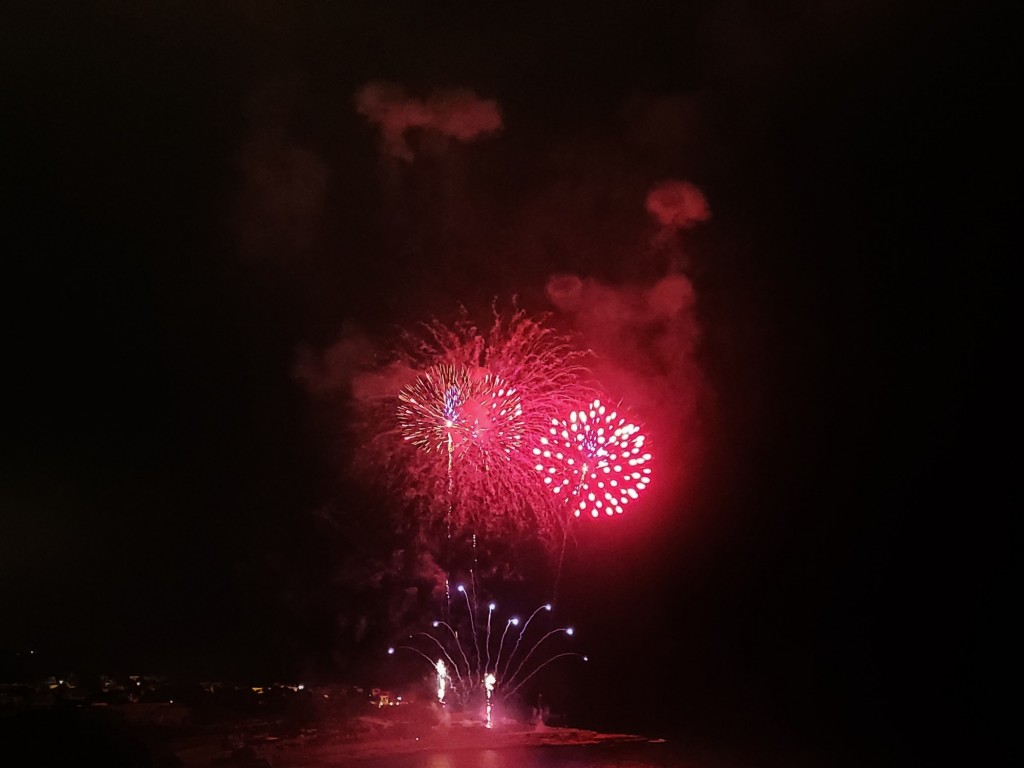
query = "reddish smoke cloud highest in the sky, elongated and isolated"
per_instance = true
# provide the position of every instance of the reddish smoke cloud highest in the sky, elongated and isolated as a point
(457, 114)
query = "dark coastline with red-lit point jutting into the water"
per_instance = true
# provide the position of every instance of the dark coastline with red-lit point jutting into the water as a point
(178, 736)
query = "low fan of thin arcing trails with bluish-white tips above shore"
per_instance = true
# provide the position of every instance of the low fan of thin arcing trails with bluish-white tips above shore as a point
(468, 662)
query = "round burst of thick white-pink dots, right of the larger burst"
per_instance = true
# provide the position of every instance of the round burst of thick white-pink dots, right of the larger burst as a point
(595, 460)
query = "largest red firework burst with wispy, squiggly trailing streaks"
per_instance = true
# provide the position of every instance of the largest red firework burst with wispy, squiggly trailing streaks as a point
(453, 444)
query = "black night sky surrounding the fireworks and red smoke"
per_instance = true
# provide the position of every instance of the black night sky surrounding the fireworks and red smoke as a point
(193, 204)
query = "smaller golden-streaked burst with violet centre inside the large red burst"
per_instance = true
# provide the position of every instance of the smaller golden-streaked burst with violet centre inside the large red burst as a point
(457, 410)
